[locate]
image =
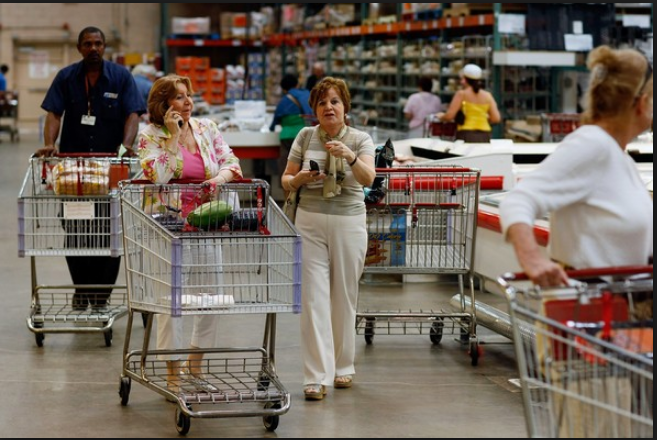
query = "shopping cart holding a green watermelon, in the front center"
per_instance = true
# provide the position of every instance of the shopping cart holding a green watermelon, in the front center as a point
(244, 258)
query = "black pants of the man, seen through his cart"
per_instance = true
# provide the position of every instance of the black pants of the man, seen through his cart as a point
(87, 235)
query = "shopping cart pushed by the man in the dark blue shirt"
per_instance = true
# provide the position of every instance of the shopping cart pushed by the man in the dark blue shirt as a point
(69, 206)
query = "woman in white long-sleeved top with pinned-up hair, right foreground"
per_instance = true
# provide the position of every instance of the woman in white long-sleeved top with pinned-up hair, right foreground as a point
(601, 213)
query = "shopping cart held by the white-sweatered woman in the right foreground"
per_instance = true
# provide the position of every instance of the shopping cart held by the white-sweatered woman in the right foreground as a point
(584, 353)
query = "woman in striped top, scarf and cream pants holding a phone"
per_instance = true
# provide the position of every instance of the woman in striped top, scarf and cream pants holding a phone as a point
(331, 221)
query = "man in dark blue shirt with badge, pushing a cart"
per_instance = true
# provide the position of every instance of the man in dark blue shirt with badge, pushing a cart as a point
(101, 105)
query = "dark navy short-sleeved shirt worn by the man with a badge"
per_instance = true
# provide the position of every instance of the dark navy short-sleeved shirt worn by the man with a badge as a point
(114, 97)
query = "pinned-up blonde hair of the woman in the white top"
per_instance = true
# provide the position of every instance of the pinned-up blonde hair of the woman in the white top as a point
(618, 77)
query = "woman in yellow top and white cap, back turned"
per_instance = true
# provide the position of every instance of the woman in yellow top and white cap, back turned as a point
(478, 106)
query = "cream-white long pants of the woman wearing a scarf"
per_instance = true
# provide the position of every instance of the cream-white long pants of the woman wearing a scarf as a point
(333, 249)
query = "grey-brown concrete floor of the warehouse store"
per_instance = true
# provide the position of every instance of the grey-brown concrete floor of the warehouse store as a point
(405, 386)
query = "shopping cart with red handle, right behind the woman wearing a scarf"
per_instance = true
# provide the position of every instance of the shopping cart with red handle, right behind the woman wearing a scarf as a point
(424, 222)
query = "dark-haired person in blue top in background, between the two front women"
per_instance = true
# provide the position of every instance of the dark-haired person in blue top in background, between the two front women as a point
(289, 114)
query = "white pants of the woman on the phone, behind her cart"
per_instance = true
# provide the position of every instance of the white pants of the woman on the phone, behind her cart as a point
(202, 267)
